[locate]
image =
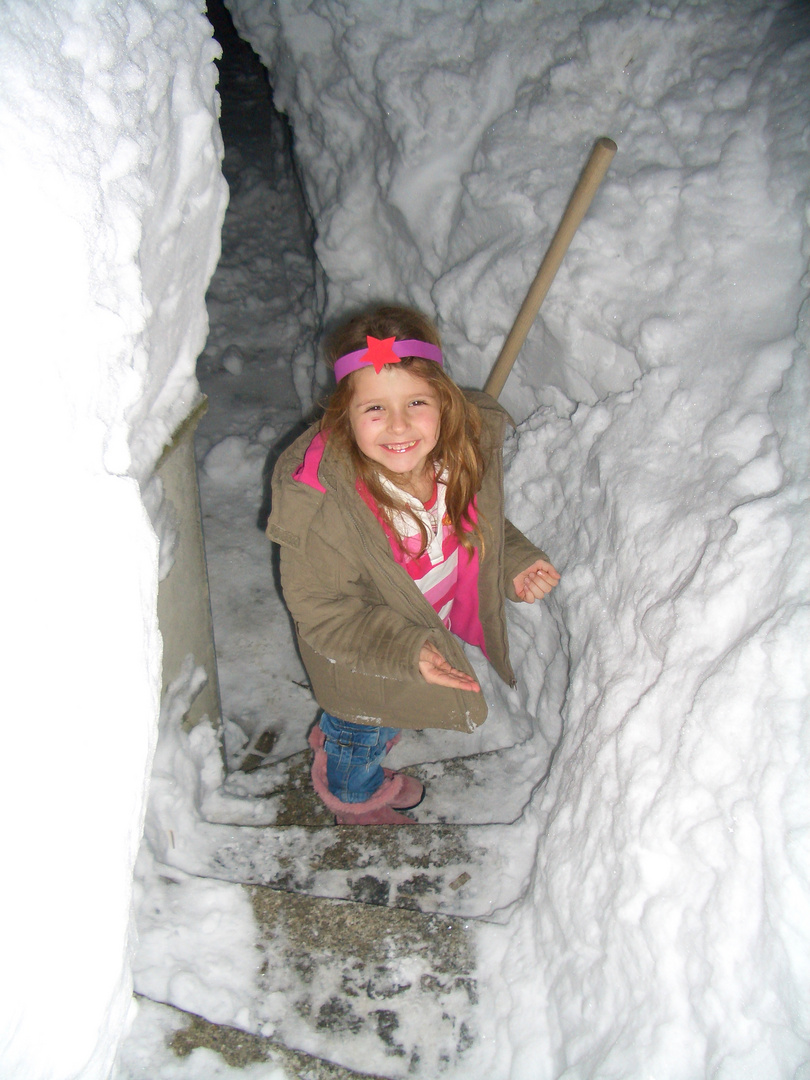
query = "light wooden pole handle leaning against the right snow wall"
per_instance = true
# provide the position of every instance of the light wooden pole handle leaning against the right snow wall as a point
(589, 183)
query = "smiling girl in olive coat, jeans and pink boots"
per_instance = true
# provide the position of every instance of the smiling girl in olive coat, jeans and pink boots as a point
(394, 546)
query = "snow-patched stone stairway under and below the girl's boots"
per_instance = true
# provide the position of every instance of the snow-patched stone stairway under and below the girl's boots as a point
(367, 937)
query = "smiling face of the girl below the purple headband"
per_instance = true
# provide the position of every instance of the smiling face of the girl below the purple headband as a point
(396, 420)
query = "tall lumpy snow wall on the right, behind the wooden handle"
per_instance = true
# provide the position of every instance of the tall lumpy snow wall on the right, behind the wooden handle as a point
(661, 460)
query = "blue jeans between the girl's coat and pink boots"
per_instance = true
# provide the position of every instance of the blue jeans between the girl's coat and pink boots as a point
(354, 755)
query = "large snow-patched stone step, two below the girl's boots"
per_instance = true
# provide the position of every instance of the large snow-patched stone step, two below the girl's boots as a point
(377, 992)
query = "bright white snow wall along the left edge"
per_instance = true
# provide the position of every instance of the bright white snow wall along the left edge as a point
(113, 202)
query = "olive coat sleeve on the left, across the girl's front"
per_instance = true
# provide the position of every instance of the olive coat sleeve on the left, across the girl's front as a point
(340, 614)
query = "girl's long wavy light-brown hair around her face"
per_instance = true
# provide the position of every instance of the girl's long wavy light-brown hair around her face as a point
(458, 450)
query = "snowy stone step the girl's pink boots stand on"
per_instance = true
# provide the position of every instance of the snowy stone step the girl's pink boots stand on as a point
(491, 788)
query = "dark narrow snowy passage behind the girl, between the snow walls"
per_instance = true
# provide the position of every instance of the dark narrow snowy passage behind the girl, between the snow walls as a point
(264, 306)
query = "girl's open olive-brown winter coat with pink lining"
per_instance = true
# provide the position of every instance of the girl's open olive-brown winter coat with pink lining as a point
(360, 619)
